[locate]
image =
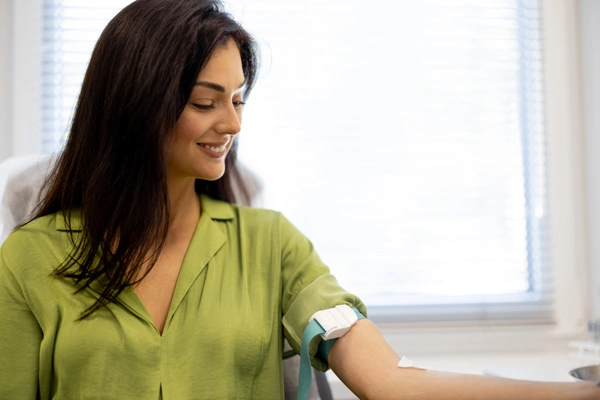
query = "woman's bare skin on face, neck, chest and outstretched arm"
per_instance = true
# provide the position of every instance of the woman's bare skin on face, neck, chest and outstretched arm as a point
(362, 358)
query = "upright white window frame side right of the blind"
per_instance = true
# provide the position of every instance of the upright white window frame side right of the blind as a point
(565, 165)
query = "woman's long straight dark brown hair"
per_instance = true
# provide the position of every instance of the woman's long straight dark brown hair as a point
(141, 74)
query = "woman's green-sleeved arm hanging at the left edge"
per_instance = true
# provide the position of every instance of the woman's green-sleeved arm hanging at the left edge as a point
(20, 337)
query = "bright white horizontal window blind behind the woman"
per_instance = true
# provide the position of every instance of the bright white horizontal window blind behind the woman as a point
(405, 139)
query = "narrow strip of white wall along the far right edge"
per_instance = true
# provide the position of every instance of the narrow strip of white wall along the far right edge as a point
(590, 56)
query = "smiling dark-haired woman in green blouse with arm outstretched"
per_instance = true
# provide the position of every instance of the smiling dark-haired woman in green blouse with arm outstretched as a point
(139, 278)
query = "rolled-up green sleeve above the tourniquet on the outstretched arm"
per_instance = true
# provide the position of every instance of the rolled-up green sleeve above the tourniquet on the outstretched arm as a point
(308, 287)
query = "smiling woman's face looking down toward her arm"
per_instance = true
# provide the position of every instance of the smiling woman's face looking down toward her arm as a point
(205, 130)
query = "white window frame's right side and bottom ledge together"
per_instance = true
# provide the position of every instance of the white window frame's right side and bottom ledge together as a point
(568, 240)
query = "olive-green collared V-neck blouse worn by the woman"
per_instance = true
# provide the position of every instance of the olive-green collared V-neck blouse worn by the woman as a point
(248, 279)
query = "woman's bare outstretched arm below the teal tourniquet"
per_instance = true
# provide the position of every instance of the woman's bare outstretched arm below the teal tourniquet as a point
(364, 361)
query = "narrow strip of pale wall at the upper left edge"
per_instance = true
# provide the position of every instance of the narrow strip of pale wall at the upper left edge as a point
(6, 91)
